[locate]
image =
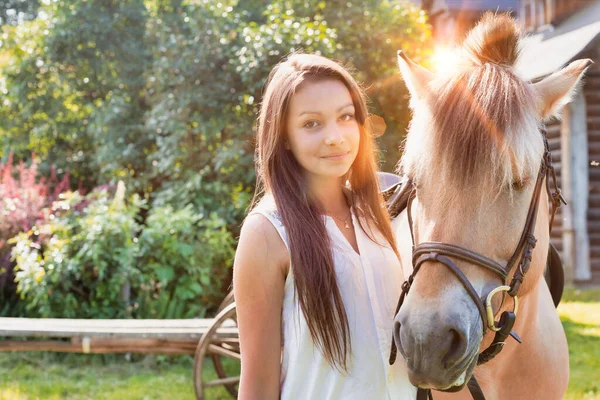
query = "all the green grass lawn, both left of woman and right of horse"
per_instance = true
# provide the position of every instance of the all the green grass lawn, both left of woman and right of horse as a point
(29, 376)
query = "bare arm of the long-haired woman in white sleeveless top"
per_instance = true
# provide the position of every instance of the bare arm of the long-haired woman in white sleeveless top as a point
(259, 272)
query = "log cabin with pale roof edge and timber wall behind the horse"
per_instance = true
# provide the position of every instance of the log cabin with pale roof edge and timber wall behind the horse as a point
(558, 33)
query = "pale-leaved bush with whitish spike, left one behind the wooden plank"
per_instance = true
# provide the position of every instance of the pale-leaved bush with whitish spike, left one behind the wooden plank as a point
(79, 262)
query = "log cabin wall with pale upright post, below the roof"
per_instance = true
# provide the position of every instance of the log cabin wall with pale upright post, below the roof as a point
(575, 145)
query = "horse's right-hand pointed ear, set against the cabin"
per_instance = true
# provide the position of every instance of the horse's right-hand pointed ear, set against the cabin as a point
(556, 90)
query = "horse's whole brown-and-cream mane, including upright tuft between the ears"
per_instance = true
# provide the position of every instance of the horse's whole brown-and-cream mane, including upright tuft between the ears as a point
(477, 129)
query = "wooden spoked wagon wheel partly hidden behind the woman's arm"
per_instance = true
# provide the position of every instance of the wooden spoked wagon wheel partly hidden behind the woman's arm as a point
(220, 341)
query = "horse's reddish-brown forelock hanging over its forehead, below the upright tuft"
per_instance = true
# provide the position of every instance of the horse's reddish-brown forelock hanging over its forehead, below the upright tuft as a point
(482, 127)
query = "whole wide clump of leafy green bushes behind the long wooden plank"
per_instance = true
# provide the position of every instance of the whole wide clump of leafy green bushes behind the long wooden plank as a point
(93, 259)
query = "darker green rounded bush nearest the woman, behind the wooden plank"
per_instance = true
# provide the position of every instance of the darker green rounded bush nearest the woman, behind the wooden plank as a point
(183, 259)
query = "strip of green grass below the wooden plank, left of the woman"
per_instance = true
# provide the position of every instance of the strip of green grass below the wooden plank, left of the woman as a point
(29, 376)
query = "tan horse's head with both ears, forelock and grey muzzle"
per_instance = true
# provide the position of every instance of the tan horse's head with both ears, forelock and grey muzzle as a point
(474, 152)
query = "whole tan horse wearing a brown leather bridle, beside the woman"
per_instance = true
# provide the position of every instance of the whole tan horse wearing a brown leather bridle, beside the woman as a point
(476, 158)
